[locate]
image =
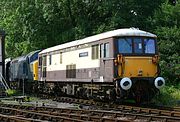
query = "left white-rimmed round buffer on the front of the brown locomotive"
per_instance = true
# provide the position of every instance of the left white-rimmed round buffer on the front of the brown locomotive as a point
(126, 83)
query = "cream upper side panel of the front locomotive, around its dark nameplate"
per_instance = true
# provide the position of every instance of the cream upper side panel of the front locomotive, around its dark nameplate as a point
(72, 57)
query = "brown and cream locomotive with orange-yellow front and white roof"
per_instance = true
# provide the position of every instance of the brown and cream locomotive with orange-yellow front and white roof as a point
(117, 64)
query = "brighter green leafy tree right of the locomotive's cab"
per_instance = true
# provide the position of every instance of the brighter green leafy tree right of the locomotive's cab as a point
(166, 24)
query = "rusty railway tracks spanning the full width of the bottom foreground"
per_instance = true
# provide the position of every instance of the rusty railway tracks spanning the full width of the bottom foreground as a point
(30, 113)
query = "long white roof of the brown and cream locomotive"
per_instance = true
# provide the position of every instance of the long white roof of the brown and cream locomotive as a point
(114, 33)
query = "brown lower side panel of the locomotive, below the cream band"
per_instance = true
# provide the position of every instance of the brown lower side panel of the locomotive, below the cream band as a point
(81, 75)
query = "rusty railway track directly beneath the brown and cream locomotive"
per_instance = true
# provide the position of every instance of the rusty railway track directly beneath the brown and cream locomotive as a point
(108, 105)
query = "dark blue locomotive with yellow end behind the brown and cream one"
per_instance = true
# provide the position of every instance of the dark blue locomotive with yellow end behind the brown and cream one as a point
(22, 69)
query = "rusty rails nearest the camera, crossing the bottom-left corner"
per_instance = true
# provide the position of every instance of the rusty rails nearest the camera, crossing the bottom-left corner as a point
(13, 114)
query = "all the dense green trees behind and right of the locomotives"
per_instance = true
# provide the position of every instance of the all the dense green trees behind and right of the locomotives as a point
(38, 24)
